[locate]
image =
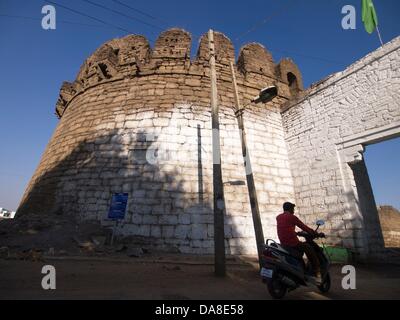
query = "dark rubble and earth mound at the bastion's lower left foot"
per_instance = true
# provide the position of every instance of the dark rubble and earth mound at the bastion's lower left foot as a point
(34, 237)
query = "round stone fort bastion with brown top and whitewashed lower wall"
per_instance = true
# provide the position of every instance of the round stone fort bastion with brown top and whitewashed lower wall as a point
(138, 120)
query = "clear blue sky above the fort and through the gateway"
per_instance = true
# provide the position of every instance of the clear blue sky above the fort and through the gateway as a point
(34, 62)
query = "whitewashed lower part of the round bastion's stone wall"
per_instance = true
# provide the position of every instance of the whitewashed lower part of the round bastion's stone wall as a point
(174, 207)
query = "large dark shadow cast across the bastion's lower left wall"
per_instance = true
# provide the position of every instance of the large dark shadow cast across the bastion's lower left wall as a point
(163, 209)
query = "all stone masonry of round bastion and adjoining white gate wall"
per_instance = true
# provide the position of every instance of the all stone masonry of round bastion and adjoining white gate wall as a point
(137, 120)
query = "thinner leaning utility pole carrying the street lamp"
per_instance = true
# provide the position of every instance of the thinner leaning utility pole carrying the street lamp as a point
(258, 230)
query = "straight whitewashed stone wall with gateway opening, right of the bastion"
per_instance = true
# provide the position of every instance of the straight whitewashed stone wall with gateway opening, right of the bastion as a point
(326, 131)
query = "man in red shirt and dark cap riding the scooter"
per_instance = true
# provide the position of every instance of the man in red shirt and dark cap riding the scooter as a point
(286, 224)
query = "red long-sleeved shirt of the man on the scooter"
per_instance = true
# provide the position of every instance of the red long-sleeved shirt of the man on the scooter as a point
(286, 225)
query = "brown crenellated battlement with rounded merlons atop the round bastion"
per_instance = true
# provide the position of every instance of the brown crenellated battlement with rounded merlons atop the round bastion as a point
(132, 56)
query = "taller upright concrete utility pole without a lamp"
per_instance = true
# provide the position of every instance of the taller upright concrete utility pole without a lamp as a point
(219, 201)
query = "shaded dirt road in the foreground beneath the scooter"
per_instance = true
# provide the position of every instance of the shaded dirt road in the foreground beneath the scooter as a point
(174, 279)
